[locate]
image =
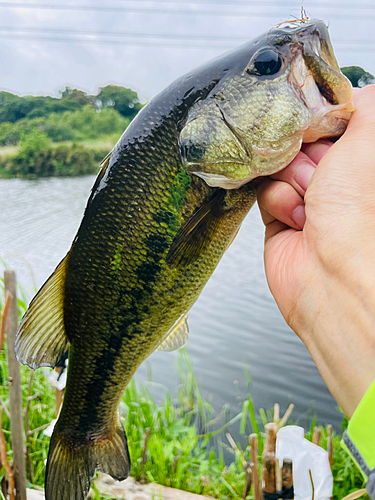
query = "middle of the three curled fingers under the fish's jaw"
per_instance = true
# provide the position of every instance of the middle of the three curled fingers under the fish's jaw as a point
(298, 173)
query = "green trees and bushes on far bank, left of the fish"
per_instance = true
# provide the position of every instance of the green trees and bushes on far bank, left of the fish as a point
(46, 136)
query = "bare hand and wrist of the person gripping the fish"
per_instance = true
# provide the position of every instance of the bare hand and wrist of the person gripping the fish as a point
(319, 214)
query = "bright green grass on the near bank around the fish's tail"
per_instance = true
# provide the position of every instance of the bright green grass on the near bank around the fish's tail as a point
(186, 441)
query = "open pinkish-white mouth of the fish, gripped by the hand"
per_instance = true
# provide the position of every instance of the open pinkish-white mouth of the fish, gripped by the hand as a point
(318, 83)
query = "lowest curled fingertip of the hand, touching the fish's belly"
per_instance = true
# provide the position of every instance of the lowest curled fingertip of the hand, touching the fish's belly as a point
(280, 201)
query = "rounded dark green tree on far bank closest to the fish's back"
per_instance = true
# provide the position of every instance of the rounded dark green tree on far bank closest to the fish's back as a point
(123, 100)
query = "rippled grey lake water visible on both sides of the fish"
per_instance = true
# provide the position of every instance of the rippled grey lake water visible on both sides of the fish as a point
(234, 325)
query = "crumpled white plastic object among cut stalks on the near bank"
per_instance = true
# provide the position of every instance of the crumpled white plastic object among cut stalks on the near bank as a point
(305, 455)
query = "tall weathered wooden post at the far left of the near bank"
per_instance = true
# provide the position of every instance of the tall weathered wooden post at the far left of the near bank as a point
(15, 392)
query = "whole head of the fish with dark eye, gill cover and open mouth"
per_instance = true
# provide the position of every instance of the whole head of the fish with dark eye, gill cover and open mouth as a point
(280, 90)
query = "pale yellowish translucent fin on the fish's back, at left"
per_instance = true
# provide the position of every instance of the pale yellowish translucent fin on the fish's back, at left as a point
(41, 339)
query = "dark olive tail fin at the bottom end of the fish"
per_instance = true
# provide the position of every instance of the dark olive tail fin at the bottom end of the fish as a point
(71, 465)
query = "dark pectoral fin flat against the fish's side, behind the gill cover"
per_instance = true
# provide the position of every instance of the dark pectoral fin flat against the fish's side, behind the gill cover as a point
(197, 233)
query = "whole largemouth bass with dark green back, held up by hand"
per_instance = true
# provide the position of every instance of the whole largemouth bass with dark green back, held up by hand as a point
(166, 205)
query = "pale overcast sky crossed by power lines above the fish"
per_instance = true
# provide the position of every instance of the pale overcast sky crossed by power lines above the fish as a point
(86, 44)
